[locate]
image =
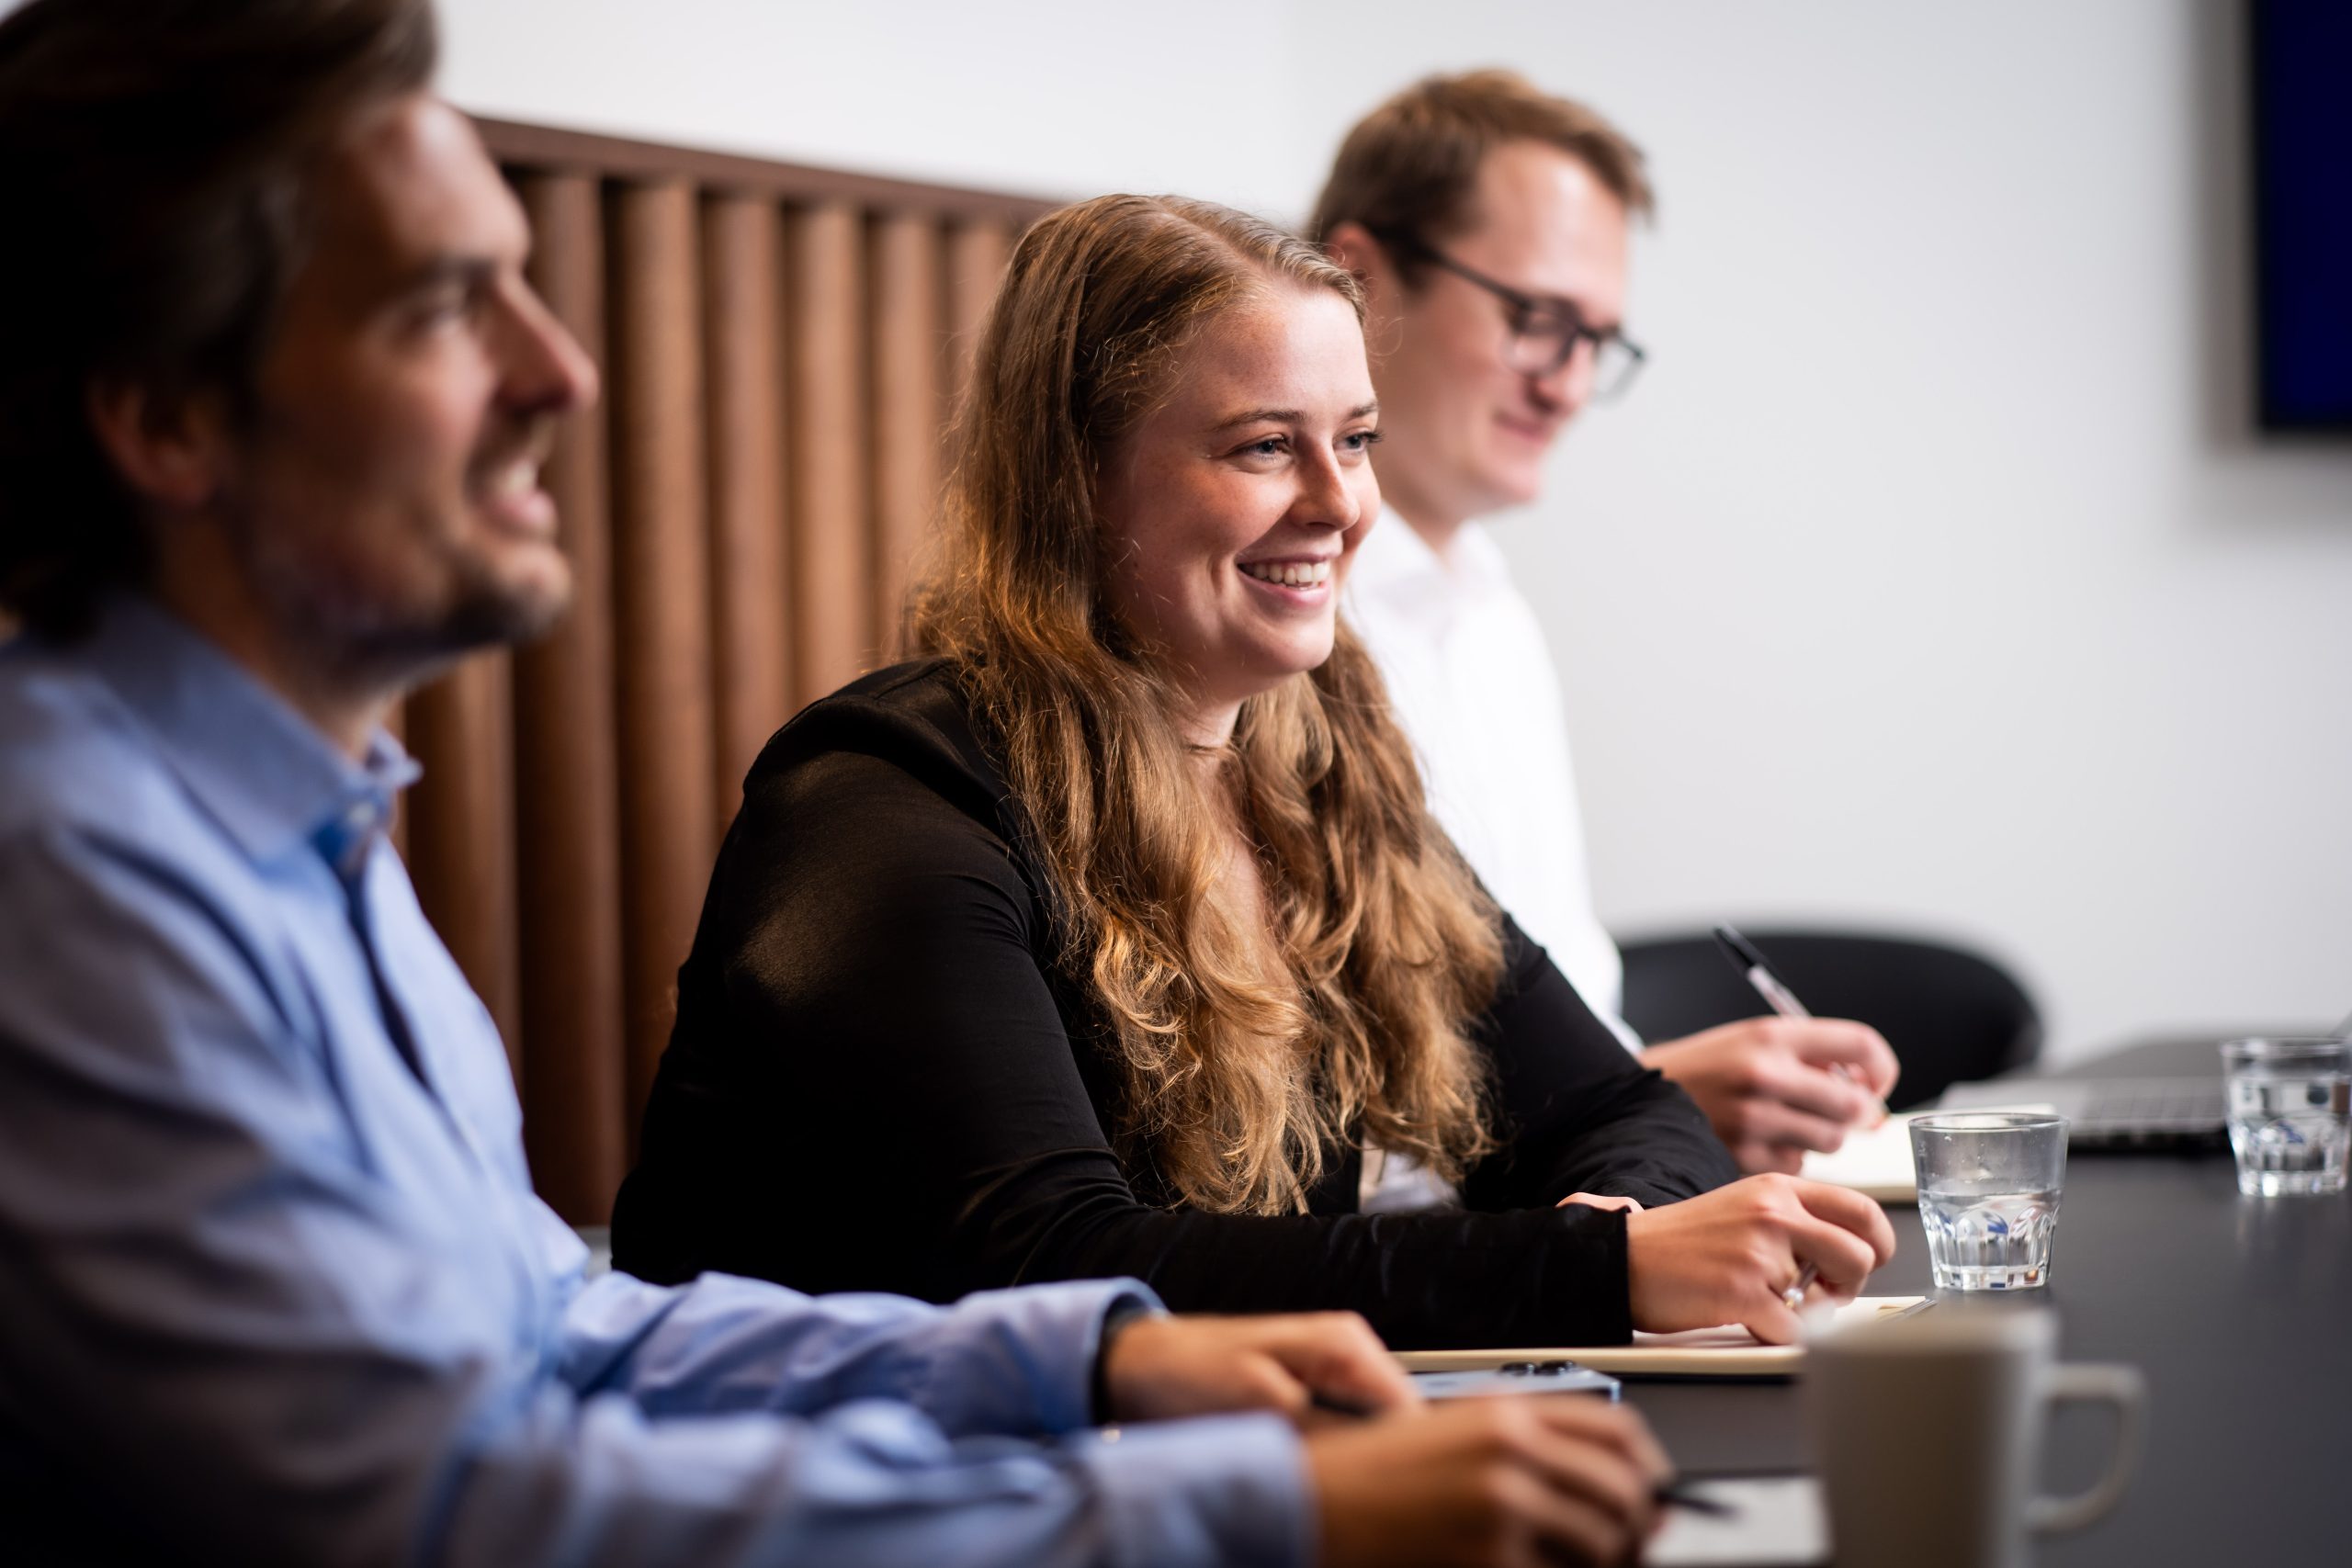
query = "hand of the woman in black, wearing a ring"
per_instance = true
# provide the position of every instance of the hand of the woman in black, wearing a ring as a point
(1730, 1254)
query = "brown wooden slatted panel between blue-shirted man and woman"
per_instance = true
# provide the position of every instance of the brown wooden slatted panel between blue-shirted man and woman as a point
(780, 349)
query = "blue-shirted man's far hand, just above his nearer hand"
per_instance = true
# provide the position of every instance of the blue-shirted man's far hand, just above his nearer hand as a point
(1170, 1367)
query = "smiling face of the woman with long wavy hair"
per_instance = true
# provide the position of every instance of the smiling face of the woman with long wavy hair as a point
(1234, 507)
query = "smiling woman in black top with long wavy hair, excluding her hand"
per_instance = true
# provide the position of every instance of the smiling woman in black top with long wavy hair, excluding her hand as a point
(1109, 937)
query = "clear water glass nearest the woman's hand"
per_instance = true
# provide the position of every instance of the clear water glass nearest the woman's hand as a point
(1989, 1198)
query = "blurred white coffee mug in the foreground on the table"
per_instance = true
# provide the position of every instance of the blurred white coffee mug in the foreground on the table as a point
(1927, 1435)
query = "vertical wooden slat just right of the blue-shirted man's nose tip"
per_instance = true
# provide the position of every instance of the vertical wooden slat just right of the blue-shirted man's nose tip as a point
(662, 579)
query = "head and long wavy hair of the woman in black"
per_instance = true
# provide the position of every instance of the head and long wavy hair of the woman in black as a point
(1224, 420)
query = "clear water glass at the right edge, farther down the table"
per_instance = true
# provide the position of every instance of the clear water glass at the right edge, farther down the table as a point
(2290, 1113)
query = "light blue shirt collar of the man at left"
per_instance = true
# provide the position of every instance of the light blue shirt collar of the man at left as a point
(265, 772)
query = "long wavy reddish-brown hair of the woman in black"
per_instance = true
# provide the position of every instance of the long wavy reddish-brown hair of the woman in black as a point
(1243, 1059)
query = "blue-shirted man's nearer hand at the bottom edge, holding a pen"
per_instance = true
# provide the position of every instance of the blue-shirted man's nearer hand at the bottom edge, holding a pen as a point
(1514, 1482)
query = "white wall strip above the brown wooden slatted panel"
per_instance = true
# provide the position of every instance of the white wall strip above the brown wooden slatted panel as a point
(1060, 98)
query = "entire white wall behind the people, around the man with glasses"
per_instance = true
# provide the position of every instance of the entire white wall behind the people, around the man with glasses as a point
(1930, 577)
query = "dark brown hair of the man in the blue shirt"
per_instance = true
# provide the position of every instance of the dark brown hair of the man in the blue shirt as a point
(154, 159)
